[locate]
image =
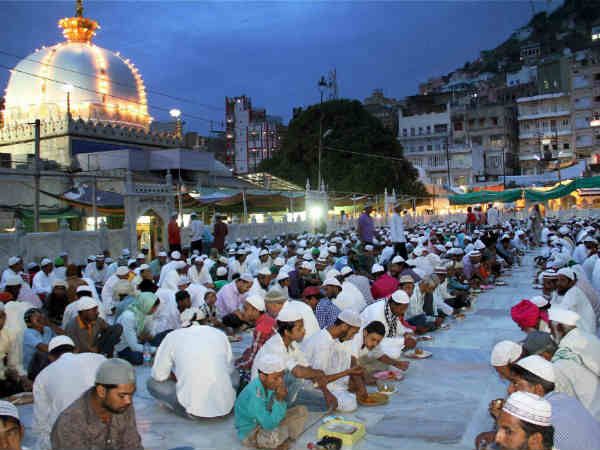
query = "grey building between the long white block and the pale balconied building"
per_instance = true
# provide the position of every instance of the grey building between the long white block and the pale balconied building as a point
(488, 133)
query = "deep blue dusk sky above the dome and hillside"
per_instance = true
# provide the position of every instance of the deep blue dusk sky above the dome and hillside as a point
(274, 52)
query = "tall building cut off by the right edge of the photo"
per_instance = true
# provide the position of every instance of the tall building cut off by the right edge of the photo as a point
(585, 105)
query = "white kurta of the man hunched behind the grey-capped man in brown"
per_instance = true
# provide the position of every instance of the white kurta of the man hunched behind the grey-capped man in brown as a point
(59, 385)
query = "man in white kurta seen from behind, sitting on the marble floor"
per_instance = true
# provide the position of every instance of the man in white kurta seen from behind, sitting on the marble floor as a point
(200, 358)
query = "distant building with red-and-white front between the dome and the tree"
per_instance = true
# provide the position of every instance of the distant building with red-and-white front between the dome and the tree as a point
(251, 135)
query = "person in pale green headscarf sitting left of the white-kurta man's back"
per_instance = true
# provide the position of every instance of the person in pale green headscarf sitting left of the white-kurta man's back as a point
(133, 321)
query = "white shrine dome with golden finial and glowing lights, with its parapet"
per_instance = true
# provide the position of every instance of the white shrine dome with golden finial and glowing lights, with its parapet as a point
(102, 92)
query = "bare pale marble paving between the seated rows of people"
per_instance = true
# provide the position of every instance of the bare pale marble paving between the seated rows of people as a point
(441, 404)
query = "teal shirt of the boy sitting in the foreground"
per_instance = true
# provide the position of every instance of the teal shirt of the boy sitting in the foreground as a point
(252, 409)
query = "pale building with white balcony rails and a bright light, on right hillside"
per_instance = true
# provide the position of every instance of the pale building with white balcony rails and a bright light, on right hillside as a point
(545, 133)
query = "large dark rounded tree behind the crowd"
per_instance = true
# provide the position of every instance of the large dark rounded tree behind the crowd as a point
(348, 128)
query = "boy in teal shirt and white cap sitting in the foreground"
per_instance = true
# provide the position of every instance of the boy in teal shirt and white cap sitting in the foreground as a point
(262, 418)
